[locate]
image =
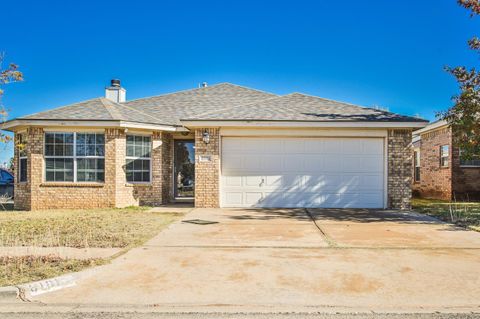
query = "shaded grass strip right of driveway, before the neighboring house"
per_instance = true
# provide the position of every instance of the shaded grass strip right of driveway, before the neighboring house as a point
(460, 213)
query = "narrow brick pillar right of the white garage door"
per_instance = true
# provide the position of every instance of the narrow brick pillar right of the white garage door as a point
(399, 168)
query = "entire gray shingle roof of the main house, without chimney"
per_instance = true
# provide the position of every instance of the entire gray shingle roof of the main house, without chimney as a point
(224, 102)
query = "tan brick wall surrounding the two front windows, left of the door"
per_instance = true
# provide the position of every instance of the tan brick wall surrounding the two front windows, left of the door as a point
(114, 192)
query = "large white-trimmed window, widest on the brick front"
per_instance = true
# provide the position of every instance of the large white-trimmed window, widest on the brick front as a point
(74, 157)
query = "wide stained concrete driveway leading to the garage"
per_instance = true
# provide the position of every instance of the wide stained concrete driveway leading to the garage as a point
(291, 259)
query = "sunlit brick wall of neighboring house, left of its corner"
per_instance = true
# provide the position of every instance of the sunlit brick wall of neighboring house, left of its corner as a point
(435, 181)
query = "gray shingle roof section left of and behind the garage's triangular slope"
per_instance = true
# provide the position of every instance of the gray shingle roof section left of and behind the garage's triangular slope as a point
(164, 109)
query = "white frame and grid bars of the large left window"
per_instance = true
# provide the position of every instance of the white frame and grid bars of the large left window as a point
(74, 157)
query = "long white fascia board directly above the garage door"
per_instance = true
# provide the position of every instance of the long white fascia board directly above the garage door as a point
(304, 124)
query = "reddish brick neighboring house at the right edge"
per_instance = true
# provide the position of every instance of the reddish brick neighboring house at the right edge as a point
(439, 172)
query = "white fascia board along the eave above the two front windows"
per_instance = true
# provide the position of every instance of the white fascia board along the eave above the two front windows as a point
(9, 126)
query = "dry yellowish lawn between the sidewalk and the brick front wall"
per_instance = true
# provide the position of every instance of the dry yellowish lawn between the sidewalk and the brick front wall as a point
(122, 228)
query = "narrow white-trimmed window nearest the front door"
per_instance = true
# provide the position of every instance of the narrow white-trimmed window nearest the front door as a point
(138, 159)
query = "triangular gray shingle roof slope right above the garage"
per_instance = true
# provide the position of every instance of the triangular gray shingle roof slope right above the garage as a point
(301, 107)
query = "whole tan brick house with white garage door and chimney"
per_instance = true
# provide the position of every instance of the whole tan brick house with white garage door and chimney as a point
(221, 146)
